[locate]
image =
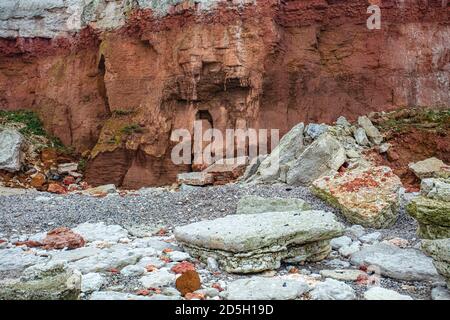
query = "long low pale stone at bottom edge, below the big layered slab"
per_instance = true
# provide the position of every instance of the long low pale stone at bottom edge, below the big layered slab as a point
(260, 288)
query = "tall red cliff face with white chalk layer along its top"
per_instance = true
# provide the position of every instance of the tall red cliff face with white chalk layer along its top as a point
(118, 77)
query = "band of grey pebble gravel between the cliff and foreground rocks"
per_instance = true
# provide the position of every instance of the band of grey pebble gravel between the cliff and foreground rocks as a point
(153, 207)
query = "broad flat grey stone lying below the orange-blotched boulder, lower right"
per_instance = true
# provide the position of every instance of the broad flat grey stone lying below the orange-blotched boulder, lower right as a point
(397, 263)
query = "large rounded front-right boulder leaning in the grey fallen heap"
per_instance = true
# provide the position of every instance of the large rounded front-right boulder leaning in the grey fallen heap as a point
(325, 156)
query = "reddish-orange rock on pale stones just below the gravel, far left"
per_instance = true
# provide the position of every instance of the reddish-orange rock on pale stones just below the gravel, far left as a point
(61, 238)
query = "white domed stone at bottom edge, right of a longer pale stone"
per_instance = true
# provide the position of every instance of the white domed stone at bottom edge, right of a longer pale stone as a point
(333, 290)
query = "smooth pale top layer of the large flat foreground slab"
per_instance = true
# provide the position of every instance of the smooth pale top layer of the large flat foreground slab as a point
(243, 233)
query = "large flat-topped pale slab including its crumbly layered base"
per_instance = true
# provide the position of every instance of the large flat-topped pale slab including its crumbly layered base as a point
(258, 242)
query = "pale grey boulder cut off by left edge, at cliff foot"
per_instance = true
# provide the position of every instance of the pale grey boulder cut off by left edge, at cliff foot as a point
(10, 150)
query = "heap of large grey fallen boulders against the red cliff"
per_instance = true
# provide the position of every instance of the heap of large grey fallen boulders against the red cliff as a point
(317, 150)
